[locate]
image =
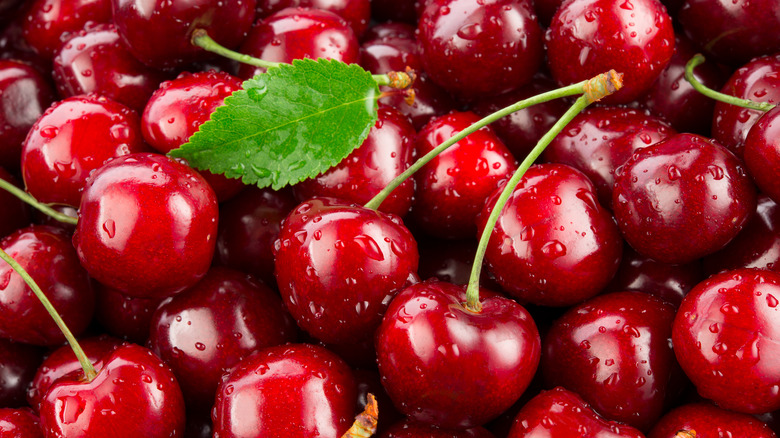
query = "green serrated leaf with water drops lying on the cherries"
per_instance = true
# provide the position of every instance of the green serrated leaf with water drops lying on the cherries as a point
(288, 124)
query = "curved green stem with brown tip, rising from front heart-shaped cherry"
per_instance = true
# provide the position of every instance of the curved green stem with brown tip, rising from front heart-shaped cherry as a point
(594, 89)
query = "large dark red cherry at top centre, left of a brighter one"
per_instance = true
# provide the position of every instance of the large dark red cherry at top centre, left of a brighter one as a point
(474, 49)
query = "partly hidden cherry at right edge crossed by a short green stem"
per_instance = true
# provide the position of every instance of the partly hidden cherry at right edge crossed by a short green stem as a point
(759, 81)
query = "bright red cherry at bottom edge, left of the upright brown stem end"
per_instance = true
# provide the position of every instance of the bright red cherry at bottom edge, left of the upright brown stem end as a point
(276, 392)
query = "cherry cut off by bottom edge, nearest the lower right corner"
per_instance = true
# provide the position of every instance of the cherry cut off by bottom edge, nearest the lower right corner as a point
(709, 422)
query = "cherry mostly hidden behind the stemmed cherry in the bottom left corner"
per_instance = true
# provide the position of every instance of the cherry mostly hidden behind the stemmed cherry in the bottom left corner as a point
(63, 361)
